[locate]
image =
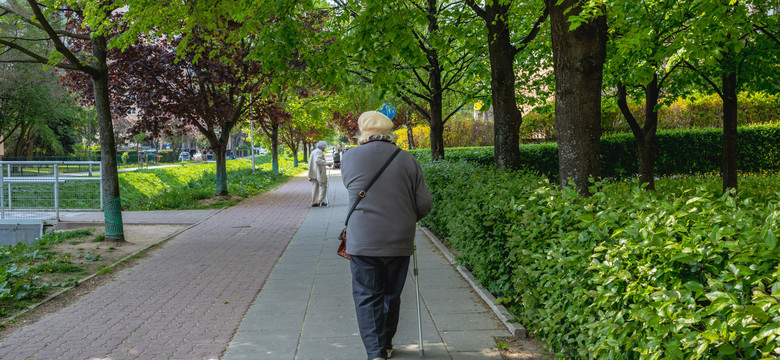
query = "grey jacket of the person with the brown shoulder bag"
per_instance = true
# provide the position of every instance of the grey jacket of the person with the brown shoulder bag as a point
(383, 223)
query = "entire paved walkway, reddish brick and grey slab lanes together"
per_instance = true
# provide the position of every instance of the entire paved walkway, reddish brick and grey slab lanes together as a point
(259, 280)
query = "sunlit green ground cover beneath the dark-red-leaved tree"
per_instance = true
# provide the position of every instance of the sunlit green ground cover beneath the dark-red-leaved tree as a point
(182, 187)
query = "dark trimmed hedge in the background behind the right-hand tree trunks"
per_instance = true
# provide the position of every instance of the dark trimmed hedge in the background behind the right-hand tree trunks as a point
(677, 152)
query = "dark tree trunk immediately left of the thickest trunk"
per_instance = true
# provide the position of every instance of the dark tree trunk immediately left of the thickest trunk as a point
(507, 117)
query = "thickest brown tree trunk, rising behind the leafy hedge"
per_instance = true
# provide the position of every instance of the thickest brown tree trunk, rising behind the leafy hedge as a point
(578, 59)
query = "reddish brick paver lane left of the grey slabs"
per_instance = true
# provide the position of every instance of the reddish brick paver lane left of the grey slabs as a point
(184, 301)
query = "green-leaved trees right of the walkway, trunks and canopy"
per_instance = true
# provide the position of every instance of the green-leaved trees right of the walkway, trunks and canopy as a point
(633, 50)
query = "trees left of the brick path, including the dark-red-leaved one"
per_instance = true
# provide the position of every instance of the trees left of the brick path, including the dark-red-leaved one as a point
(195, 76)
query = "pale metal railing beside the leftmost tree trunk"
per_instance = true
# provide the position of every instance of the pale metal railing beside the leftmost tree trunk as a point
(40, 189)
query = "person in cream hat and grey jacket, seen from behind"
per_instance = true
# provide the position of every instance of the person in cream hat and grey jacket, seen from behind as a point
(380, 233)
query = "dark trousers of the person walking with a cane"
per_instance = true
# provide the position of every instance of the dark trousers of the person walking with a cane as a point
(376, 288)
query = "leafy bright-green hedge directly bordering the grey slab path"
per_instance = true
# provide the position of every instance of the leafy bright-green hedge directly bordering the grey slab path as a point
(624, 274)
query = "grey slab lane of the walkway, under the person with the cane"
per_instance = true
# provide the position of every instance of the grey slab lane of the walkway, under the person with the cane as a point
(305, 309)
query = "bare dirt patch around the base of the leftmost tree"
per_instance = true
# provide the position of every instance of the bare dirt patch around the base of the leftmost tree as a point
(89, 254)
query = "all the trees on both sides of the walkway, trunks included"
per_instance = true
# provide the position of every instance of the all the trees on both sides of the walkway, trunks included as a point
(212, 66)
